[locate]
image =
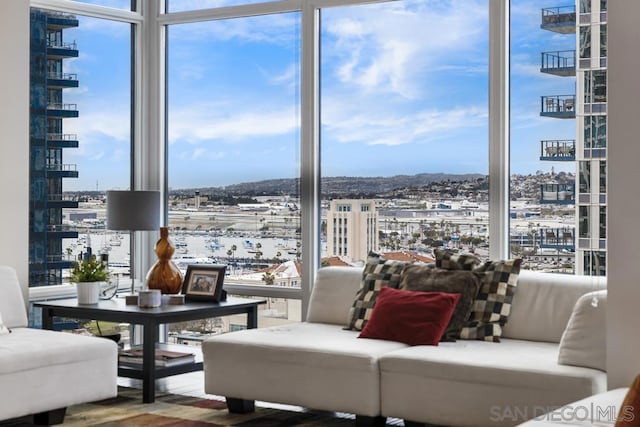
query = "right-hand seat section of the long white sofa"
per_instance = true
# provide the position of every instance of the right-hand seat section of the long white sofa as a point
(479, 380)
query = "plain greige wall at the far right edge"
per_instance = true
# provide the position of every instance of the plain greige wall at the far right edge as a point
(623, 313)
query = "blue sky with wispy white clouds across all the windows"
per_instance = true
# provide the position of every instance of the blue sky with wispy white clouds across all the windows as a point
(404, 94)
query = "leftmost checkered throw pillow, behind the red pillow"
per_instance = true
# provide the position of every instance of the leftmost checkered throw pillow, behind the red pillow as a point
(378, 273)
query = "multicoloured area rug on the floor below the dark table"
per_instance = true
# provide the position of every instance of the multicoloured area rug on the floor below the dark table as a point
(171, 410)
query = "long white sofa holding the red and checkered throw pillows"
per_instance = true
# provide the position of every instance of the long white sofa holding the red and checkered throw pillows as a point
(320, 365)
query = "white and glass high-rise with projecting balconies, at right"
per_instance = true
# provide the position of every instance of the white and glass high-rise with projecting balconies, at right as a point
(586, 21)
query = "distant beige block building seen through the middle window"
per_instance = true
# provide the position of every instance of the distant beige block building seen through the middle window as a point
(352, 228)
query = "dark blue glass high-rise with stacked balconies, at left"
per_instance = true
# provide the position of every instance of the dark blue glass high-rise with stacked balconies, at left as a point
(47, 143)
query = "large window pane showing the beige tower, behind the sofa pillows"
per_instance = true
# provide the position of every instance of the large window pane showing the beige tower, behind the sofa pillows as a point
(404, 114)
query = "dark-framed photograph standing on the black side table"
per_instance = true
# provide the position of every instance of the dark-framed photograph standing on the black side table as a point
(203, 282)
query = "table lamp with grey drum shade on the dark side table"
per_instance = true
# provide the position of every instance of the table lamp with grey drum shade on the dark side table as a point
(133, 211)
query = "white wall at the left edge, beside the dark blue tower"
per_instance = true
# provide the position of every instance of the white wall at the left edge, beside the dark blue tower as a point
(14, 137)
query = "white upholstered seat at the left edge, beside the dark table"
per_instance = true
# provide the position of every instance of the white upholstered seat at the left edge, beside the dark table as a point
(42, 372)
